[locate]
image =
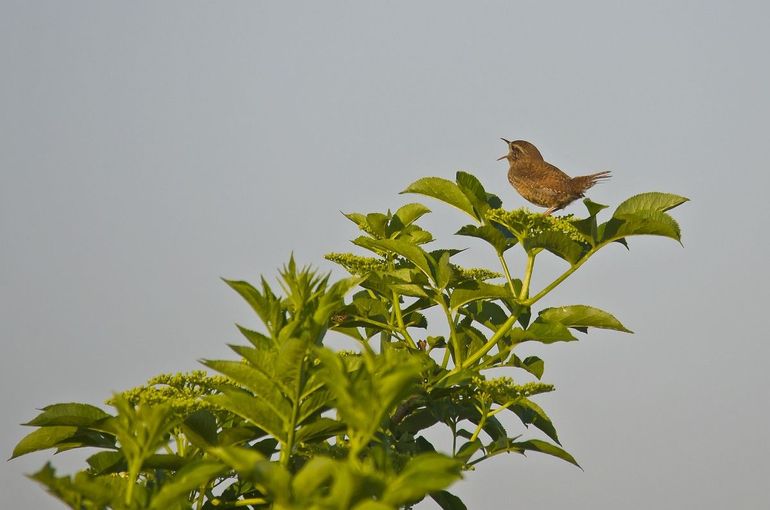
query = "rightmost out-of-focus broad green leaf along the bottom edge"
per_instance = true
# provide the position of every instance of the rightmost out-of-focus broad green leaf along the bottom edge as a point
(425, 473)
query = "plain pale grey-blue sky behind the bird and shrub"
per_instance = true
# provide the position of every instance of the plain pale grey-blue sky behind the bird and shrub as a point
(149, 148)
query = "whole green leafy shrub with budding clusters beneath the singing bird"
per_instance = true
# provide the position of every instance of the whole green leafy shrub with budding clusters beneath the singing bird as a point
(292, 424)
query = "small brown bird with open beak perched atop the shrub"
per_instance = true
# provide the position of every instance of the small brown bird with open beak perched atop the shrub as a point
(542, 183)
